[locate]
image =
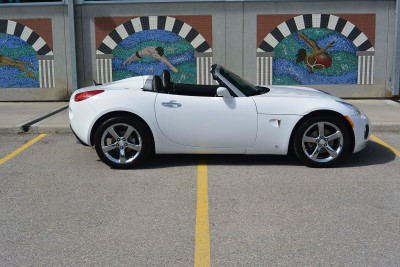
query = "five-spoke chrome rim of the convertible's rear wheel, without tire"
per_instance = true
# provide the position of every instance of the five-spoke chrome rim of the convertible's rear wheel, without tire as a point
(121, 143)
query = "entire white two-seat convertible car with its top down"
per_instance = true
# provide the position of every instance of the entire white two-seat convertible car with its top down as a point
(130, 119)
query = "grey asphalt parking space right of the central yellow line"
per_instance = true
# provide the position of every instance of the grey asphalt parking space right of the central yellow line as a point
(276, 214)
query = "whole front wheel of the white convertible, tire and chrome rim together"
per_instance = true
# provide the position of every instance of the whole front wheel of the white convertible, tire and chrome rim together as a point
(322, 141)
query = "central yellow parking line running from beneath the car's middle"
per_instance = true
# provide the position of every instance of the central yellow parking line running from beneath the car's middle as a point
(202, 237)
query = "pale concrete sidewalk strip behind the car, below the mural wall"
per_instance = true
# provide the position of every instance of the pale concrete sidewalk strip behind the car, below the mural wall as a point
(52, 117)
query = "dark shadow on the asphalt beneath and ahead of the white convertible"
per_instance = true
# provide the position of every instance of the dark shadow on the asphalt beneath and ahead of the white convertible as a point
(373, 154)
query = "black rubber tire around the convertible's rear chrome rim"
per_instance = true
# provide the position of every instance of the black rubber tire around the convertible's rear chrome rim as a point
(144, 135)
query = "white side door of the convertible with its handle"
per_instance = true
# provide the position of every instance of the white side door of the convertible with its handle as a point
(208, 122)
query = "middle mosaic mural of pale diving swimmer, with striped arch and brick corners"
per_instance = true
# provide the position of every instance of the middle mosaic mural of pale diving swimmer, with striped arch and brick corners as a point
(149, 45)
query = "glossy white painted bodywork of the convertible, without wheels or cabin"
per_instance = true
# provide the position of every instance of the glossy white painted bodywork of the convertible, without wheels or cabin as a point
(259, 124)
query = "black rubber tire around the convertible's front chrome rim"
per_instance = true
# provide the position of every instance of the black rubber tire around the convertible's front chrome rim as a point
(298, 146)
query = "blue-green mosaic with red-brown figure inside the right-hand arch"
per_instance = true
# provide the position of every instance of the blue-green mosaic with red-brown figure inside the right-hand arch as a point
(299, 59)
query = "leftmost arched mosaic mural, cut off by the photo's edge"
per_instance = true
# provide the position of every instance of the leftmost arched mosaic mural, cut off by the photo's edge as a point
(26, 59)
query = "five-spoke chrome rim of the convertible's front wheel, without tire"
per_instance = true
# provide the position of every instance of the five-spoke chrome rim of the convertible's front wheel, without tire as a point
(322, 142)
